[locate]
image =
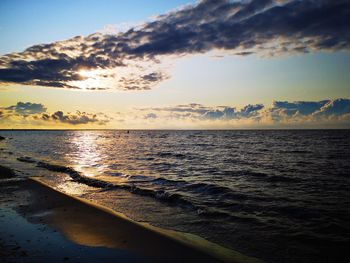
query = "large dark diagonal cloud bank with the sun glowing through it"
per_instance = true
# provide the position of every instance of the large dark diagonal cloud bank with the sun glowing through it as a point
(267, 27)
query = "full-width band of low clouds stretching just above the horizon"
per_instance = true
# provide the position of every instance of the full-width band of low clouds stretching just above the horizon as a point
(281, 114)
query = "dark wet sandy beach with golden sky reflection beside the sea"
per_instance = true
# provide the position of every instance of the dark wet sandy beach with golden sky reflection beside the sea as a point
(38, 223)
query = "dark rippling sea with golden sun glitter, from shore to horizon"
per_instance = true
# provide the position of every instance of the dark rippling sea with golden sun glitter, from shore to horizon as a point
(281, 196)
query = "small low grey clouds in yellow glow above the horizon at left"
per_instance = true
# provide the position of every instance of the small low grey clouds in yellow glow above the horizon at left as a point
(30, 113)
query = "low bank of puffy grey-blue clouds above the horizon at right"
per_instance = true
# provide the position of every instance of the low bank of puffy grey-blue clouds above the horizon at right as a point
(280, 113)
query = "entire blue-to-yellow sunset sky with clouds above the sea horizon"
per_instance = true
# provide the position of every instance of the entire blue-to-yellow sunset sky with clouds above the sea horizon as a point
(174, 64)
